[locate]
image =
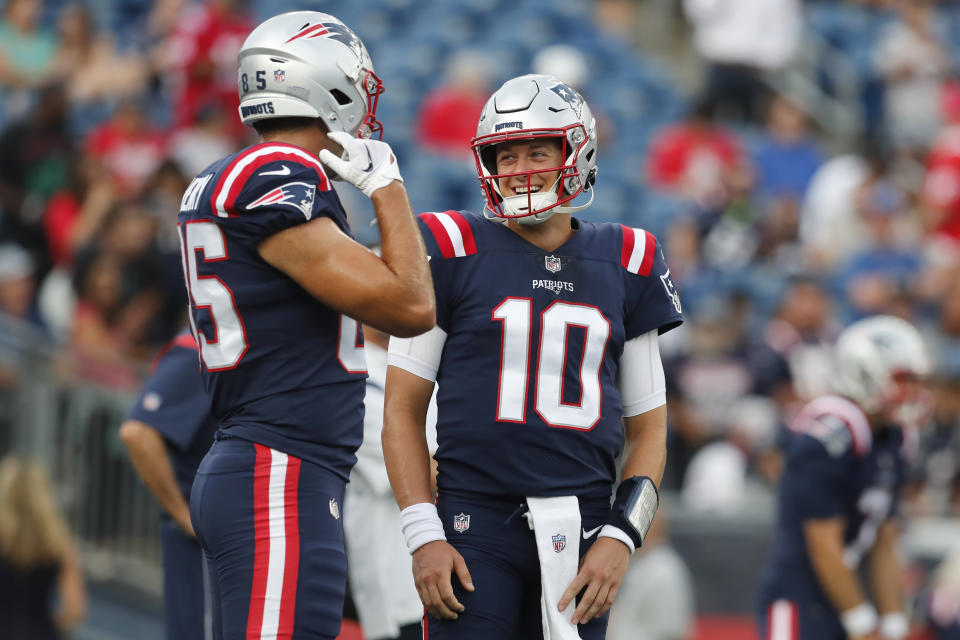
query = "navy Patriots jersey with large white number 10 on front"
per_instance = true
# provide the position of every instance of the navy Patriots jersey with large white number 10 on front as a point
(528, 400)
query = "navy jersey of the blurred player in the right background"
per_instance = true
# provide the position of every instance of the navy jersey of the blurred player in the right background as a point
(836, 466)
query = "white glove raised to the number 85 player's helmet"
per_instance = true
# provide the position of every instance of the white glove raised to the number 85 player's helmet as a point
(366, 164)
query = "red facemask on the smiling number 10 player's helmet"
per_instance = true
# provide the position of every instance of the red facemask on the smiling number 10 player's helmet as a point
(532, 207)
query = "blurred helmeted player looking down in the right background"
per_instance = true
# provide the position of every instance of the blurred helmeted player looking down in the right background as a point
(839, 492)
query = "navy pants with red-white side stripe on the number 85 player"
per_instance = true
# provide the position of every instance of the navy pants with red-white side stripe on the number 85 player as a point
(271, 525)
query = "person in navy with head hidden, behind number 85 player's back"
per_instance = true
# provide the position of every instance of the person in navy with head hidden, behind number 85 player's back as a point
(167, 433)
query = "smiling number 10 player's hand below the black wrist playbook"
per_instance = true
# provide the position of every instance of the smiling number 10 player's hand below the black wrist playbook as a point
(601, 572)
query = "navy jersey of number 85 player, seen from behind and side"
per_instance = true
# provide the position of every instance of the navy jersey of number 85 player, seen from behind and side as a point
(281, 368)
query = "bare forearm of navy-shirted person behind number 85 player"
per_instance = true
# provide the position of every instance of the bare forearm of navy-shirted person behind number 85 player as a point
(148, 453)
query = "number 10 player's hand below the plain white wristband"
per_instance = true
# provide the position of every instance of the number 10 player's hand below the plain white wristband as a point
(433, 563)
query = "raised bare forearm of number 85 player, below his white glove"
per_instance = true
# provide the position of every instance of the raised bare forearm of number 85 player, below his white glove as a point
(403, 250)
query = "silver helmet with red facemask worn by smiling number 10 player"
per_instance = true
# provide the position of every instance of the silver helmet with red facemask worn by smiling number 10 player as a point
(528, 108)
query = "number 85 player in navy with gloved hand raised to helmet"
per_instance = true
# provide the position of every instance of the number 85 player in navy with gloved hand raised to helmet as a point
(277, 288)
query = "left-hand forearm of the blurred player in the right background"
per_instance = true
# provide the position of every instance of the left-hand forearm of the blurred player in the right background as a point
(824, 541)
